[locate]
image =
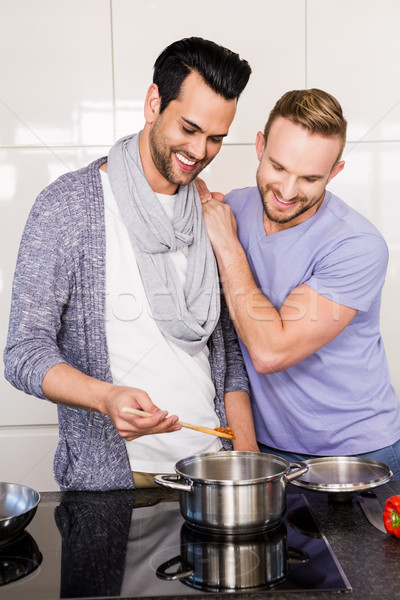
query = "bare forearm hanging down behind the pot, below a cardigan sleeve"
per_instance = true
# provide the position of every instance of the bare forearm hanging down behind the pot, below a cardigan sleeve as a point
(240, 420)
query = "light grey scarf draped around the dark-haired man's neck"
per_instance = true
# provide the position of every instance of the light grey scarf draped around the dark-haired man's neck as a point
(185, 316)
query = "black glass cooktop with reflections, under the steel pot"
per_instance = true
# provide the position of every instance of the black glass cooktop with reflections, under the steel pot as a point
(106, 546)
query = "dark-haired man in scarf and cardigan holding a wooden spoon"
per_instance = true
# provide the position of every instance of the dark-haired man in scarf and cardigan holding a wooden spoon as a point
(116, 297)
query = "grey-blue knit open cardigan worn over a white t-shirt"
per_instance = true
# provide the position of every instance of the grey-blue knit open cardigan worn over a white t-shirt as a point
(58, 316)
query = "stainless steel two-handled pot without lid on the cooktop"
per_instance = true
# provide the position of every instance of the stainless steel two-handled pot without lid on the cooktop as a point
(232, 491)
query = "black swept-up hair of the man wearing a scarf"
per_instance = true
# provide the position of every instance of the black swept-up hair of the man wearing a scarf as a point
(222, 70)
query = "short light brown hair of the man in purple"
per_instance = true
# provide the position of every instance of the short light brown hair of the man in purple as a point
(314, 109)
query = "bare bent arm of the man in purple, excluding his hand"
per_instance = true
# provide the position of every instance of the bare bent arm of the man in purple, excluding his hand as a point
(277, 340)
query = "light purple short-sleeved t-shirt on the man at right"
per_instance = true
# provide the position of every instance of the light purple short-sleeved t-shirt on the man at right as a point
(338, 401)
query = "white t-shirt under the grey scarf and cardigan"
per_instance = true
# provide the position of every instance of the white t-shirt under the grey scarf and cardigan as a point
(142, 357)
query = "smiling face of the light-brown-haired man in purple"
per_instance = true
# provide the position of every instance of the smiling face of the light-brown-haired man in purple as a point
(295, 167)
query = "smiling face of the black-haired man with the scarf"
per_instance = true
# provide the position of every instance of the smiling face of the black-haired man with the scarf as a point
(177, 144)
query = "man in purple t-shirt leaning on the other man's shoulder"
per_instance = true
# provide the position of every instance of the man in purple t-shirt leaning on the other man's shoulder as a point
(302, 274)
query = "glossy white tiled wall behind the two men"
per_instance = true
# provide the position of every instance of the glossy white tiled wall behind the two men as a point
(73, 76)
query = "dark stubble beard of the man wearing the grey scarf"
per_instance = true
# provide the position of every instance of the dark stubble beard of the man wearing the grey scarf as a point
(163, 159)
